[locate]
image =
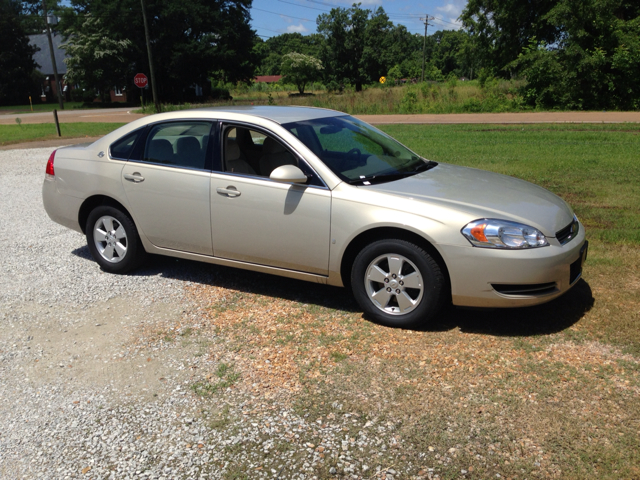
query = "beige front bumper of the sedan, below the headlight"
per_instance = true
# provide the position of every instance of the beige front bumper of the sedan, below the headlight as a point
(483, 277)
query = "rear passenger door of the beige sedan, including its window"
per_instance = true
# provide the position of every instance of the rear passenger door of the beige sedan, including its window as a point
(168, 187)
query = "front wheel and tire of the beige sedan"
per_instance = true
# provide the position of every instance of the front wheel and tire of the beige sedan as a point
(397, 283)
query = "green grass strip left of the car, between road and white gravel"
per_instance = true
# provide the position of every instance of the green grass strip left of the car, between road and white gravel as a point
(47, 131)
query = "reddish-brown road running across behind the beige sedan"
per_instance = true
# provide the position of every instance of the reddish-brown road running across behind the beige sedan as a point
(124, 115)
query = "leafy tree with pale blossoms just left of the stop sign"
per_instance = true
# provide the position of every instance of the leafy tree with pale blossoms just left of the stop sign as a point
(95, 60)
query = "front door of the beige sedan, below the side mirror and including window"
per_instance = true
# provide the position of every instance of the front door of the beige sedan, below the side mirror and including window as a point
(258, 220)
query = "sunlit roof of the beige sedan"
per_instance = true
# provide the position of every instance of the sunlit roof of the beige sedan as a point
(278, 114)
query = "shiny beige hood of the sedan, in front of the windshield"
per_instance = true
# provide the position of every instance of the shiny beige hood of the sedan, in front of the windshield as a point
(485, 195)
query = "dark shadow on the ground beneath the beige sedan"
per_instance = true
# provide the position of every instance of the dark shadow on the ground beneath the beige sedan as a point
(545, 319)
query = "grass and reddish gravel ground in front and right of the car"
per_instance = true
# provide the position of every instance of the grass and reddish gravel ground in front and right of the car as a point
(545, 392)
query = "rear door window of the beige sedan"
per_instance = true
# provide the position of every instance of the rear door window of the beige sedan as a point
(178, 144)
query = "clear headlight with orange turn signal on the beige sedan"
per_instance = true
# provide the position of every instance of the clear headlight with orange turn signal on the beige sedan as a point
(493, 233)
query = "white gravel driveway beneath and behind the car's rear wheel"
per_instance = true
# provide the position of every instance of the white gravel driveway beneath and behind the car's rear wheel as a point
(79, 398)
